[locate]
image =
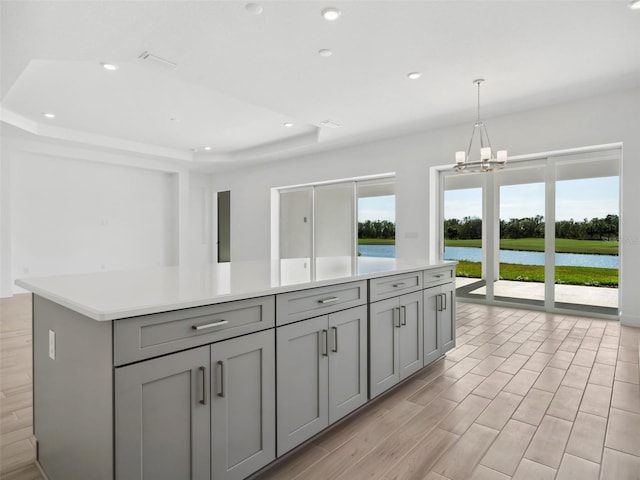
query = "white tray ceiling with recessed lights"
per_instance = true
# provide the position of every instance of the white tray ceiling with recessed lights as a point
(240, 76)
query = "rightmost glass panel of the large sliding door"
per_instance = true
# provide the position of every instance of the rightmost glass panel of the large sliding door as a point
(586, 235)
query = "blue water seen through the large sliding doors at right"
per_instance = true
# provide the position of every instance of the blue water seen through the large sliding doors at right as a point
(472, 254)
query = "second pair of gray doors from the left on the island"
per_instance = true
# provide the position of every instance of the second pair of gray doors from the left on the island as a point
(321, 373)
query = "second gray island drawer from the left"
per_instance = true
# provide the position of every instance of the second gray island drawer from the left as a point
(294, 306)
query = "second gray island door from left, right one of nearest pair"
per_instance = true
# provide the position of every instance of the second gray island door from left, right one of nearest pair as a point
(243, 415)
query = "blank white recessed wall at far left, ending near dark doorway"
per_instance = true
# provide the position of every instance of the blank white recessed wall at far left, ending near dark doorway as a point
(71, 209)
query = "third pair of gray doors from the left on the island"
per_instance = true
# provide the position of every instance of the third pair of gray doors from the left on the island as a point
(396, 340)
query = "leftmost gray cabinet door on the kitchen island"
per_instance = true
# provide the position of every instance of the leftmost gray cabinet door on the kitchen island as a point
(162, 428)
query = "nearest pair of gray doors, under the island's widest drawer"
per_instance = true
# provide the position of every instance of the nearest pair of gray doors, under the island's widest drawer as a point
(199, 414)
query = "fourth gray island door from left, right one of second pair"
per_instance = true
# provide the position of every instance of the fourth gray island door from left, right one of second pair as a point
(347, 361)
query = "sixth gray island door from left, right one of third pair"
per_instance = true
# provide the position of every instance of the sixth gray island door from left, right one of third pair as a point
(411, 337)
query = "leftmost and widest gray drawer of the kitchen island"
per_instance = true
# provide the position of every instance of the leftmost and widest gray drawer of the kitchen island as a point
(158, 334)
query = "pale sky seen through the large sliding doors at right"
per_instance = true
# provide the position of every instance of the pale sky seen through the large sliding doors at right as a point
(577, 199)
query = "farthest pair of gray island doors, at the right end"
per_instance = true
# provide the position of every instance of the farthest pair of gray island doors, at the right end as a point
(439, 321)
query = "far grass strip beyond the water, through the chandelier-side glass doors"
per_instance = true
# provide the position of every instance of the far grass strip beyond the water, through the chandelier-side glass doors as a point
(563, 245)
